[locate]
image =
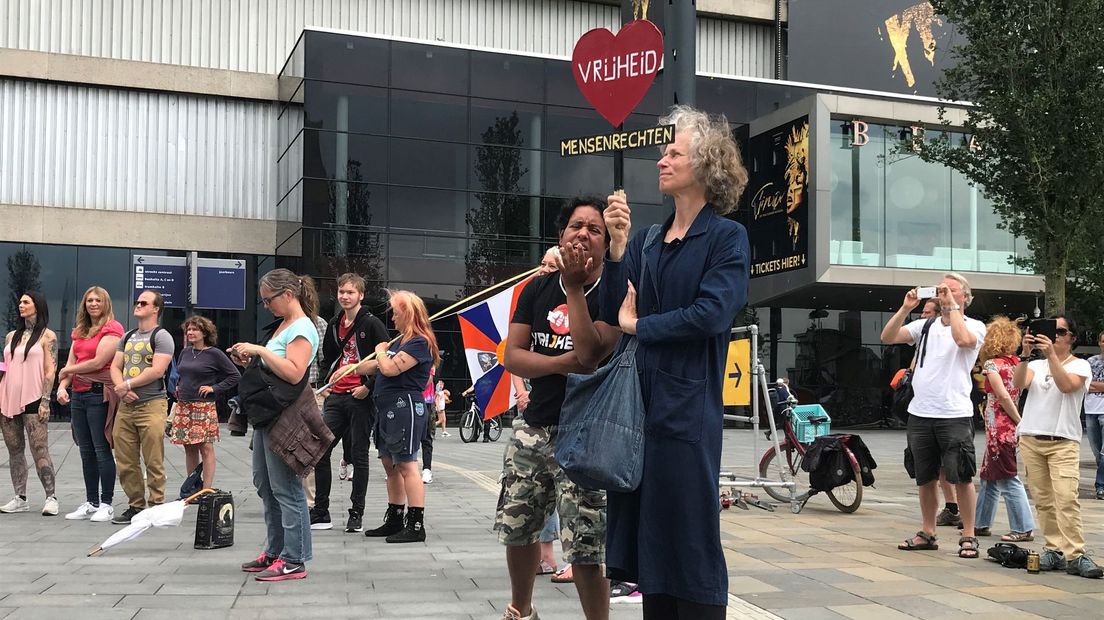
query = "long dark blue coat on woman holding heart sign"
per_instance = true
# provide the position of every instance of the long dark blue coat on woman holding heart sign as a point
(666, 536)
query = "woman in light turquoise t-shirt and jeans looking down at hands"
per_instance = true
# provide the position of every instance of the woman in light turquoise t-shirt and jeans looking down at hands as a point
(289, 355)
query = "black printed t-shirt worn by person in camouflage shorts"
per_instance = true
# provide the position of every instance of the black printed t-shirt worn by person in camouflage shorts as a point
(544, 307)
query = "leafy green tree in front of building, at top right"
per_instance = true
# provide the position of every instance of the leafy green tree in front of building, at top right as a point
(1034, 73)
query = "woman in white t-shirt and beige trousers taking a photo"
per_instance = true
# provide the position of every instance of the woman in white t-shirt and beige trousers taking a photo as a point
(1050, 445)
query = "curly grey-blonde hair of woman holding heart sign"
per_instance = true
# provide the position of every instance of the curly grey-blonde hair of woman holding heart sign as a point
(715, 156)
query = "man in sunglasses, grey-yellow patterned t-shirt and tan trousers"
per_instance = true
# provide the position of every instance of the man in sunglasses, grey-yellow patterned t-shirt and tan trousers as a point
(139, 372)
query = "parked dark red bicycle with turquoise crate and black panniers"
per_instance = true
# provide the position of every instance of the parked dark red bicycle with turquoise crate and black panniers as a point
(845, 498)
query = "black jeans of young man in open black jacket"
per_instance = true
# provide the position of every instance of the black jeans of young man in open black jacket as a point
(343, 413)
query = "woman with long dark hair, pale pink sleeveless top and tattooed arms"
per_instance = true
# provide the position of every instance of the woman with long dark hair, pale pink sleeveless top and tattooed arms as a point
(31, 356)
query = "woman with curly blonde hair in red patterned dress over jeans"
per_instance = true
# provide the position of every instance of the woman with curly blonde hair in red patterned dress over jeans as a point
(999, 465)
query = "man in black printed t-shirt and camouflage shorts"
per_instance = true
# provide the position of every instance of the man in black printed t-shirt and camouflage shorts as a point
(540, 348)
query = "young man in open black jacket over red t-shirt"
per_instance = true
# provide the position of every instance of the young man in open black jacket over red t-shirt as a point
(351, 337)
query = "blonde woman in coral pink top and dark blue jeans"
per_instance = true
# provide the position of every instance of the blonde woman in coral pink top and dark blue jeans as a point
(95, 339)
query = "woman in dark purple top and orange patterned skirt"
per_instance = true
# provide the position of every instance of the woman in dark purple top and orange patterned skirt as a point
(206, 372)
